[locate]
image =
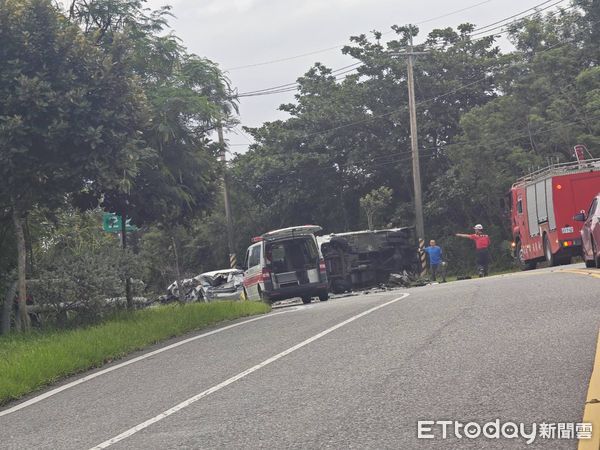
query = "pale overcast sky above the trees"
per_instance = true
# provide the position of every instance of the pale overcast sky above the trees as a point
(241, 33)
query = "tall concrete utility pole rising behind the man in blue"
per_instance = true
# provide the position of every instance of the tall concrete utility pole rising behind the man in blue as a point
(414, 144)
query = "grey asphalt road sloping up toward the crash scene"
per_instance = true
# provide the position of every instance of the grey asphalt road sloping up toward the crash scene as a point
(353, 372)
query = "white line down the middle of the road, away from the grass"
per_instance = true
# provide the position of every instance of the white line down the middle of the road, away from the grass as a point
(240, 375)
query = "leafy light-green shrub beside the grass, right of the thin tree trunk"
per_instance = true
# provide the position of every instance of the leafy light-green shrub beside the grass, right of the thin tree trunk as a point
(78, 267)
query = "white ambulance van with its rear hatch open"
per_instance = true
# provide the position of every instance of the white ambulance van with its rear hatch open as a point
(285, 263)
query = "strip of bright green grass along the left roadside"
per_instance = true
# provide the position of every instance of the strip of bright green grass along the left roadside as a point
(30, 361)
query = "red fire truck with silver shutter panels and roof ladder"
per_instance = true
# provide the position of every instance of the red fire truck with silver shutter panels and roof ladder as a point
(542, 207)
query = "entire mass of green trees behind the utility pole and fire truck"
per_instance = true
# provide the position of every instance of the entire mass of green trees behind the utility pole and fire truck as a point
(485, 119)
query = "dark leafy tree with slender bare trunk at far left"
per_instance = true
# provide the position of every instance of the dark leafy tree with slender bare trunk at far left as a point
(70, 114)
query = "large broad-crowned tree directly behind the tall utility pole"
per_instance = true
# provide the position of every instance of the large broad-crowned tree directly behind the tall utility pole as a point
(346, 137)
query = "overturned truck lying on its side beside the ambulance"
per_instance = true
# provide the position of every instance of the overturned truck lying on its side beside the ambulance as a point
(361, 259)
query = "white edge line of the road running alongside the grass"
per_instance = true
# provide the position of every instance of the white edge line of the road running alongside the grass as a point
(45, 395)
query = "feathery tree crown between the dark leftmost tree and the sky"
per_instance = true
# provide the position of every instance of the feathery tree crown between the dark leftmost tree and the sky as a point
(188, 96)
